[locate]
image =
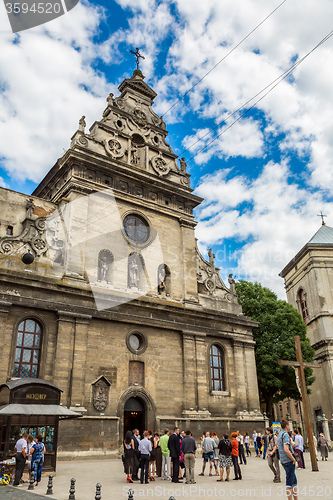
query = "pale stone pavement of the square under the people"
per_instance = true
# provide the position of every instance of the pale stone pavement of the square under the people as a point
(257, 483)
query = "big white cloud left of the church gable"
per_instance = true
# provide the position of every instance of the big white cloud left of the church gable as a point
(48, 84)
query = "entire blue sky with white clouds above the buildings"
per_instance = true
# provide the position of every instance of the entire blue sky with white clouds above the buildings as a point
(264, 180)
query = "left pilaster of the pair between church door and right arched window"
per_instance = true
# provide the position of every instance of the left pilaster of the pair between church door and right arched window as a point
(189, 371)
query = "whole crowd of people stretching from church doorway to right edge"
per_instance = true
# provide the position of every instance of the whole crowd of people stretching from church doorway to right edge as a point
(172, 456)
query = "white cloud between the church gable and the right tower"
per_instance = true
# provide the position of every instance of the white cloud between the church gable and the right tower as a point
(277, 221)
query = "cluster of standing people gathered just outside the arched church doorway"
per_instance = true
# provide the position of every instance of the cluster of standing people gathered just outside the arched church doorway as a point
(172, 455)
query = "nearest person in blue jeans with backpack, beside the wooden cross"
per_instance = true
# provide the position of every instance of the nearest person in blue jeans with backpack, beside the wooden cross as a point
(288, 460)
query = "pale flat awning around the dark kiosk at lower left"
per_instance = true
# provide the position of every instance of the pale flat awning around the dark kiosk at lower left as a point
(38, 410)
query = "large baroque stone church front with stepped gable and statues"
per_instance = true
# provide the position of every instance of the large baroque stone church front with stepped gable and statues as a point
(105, 294)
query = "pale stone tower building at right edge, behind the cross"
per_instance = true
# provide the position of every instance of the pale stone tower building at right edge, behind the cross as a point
(308, 281)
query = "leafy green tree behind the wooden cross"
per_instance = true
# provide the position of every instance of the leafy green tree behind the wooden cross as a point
(278, 322)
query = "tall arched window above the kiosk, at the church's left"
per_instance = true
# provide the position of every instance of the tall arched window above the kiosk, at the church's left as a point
(27, 352)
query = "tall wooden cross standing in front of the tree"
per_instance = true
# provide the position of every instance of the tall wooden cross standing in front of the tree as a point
(300, 365)
